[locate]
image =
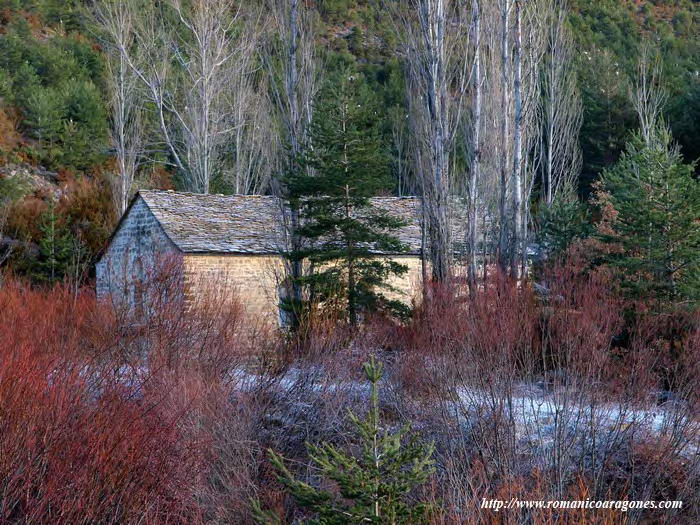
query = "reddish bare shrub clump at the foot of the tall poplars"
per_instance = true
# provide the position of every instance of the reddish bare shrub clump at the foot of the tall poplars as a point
(490, 336)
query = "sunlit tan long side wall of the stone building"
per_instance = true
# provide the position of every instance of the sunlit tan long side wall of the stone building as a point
(254, 280)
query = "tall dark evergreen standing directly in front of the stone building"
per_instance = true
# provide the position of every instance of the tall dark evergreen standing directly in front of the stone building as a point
(346, 238)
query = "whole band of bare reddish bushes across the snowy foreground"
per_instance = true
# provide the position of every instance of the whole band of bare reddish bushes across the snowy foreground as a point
(164, 411)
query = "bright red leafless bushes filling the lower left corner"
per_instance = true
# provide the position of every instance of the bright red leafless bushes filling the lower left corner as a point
(78, 444)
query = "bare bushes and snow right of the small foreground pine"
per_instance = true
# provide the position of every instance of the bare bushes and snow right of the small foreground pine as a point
(554, 394)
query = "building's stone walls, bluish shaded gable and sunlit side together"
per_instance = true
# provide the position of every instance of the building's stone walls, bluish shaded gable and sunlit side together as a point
(140, 247)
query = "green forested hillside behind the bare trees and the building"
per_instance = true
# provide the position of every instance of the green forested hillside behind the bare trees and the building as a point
(55, 116)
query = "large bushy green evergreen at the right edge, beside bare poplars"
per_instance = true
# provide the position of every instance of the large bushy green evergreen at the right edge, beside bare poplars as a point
(656, 222)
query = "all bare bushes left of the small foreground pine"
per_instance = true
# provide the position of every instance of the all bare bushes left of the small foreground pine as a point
(155, 411)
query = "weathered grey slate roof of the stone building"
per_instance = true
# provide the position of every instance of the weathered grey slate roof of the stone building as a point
(251, 224)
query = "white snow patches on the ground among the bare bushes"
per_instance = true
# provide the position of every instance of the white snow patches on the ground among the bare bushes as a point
(538, 417)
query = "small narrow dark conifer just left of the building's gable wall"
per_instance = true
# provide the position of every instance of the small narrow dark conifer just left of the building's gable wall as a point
(55, 249)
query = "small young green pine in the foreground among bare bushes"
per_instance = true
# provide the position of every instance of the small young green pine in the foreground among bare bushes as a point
(373, 486)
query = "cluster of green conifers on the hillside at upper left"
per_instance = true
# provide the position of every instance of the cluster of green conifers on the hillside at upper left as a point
(56, 84)
